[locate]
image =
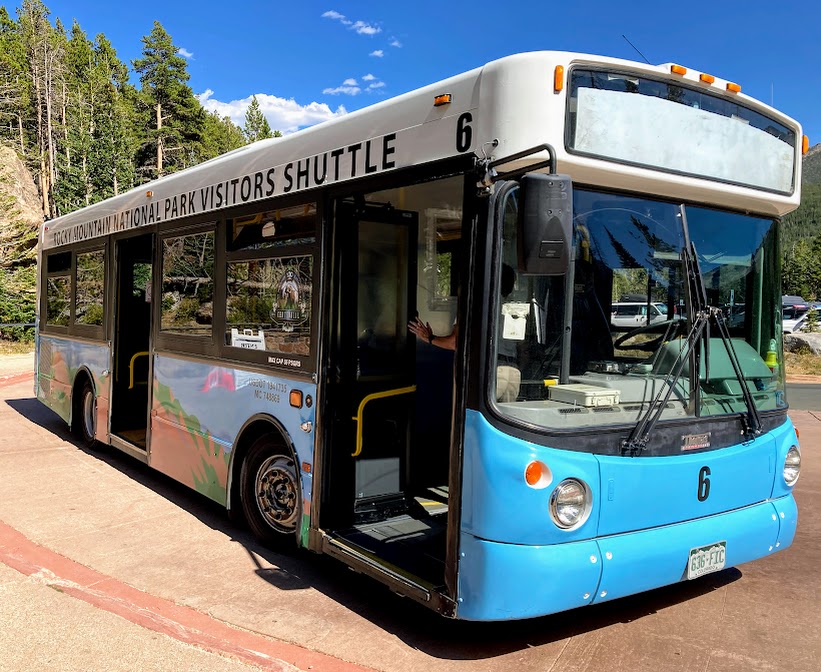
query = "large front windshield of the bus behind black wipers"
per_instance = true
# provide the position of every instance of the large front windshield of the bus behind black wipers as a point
(597, 345)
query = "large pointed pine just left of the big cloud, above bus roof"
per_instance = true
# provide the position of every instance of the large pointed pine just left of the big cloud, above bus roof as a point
(178, 117)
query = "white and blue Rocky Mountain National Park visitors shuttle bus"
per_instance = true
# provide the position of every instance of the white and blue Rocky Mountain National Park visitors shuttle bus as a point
(242, 326)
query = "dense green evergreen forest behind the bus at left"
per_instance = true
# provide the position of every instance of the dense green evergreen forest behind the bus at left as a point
(89, 126)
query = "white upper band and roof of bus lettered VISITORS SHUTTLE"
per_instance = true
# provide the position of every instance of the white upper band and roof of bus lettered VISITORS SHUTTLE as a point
(511, 101)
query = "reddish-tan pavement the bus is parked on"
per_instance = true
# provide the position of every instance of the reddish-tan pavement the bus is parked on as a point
(136, 529)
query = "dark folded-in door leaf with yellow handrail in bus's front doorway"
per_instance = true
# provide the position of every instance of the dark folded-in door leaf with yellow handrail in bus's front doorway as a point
(376, 353)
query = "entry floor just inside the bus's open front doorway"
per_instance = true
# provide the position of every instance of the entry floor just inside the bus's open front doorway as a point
(415, 544)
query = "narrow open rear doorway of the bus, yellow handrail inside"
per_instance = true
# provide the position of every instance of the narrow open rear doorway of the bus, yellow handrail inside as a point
(129, 402)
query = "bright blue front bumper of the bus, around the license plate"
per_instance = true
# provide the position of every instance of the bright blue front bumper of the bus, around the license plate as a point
(500, 581)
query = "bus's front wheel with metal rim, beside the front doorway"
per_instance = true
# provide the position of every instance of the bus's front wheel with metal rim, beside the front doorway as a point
(271, 498)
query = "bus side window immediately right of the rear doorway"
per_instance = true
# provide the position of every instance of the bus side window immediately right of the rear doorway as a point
(188, 284)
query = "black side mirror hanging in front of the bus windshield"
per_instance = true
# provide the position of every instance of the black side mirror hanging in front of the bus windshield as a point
(545, 224)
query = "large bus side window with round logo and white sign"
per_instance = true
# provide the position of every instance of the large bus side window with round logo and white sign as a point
(270, 285)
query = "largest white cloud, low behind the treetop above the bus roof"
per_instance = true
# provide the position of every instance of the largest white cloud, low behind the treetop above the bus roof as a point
(284, 115)
